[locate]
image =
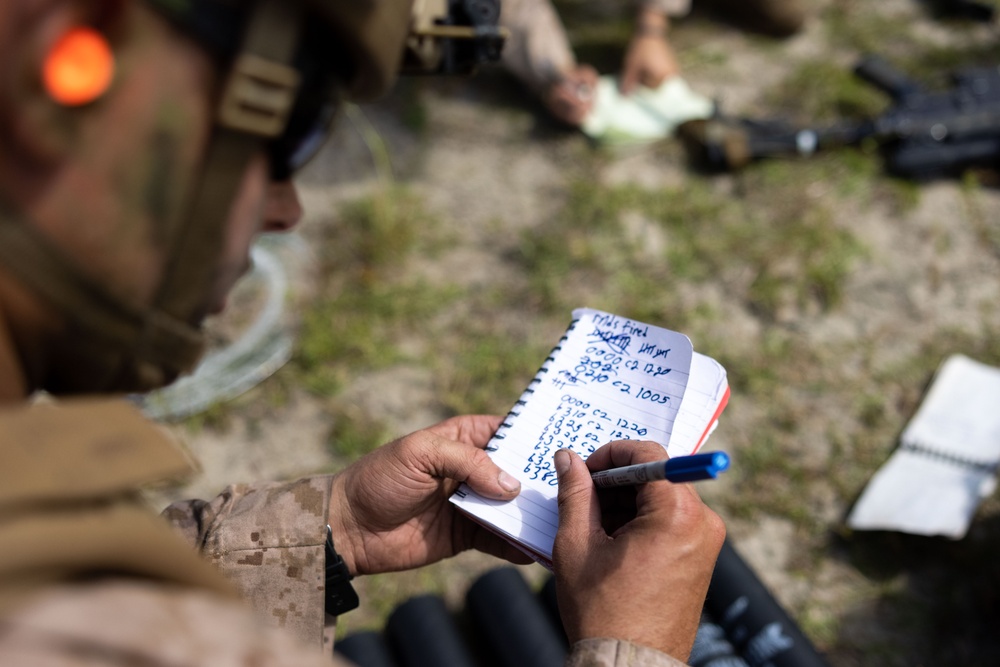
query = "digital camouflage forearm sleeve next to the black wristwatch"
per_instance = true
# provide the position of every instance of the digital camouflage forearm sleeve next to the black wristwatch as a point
(268, 539)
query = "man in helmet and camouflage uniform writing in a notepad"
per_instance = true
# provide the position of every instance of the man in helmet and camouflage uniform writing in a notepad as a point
(143, 145)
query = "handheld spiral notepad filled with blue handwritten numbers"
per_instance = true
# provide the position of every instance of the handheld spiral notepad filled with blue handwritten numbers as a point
(608, 378)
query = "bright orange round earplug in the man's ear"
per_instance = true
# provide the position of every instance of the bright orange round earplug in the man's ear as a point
(79, 68)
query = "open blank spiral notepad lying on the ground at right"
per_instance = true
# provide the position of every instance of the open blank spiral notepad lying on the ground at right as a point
(947, 459)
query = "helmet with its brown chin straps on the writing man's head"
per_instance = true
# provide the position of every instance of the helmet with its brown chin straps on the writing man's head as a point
(285, 65)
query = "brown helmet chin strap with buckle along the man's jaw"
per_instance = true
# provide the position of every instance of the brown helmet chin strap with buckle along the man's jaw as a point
(111, 344)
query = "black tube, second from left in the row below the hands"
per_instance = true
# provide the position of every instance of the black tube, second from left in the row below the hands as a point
(422, 633)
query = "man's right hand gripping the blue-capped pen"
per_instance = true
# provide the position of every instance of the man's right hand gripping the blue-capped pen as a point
(632, 561)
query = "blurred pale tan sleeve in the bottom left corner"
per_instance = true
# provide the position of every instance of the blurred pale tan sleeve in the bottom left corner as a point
(118, 622)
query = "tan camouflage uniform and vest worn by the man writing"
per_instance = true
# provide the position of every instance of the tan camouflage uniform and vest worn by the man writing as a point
(89, 576)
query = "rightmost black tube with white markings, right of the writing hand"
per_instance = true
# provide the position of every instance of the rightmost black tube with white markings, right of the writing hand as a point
(754, 622)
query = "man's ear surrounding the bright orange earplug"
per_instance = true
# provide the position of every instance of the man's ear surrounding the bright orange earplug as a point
(45, 128)
